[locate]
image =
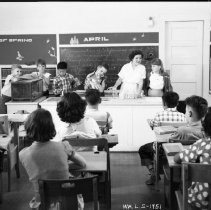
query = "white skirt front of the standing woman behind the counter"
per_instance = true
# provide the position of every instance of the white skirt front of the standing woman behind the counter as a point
(128, 90)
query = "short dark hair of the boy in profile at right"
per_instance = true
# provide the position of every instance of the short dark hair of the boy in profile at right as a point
(198, 104)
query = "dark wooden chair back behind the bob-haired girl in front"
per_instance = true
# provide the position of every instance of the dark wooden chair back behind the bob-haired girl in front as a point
(64, 193)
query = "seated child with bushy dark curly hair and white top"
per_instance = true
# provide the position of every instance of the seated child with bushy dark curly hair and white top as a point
(71, 110)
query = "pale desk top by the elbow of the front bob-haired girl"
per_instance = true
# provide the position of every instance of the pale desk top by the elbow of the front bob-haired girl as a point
(95, 161)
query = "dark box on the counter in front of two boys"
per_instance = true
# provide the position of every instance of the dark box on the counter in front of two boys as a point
(27, 89)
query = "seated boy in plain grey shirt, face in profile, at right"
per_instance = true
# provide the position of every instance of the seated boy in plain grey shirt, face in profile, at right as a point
(196, 108)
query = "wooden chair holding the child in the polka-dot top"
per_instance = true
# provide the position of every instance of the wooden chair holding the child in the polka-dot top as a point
(193, 172)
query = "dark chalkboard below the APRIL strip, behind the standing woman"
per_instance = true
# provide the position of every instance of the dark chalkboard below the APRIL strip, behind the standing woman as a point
(83, 60)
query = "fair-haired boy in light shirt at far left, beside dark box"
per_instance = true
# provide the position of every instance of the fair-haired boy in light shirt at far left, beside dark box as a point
(6, 92)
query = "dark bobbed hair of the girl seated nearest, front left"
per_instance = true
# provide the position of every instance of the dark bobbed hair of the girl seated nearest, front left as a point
(39, 126)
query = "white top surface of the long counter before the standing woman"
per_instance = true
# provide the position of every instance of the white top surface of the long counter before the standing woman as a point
(115, 101)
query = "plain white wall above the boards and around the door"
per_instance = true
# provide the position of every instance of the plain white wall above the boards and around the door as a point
(88, 17)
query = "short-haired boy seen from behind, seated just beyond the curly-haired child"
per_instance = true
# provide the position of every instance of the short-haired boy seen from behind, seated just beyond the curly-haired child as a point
(93, 100)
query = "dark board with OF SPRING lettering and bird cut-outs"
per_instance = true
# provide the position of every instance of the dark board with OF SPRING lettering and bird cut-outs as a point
(26, 49)
